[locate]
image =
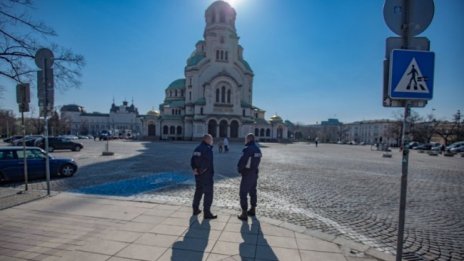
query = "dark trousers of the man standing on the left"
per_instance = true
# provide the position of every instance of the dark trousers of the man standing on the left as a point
(203, 185)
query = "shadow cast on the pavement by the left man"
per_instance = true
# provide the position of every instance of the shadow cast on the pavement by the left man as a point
(194, 243)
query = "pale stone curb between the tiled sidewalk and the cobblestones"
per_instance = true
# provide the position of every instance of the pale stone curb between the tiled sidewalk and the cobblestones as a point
(349, 247)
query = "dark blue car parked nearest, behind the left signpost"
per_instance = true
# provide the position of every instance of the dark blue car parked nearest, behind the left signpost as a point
(12, 164)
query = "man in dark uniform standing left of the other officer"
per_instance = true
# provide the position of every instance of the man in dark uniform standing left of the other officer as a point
(203, 169)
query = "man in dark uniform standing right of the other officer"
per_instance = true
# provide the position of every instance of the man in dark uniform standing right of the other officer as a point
(248, 167)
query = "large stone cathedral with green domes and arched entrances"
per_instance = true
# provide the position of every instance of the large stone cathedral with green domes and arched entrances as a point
(216, 94)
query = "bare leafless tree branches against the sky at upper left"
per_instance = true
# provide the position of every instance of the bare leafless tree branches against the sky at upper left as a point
(21, 37)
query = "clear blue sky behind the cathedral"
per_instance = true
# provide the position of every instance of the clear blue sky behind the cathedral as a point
(312, 59)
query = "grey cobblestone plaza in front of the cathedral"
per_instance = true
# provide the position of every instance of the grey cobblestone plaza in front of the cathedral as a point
(337, 189)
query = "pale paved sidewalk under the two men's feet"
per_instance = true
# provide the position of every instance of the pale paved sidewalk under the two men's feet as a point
(77, 227)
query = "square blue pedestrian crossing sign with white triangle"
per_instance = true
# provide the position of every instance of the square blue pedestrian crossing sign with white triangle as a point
(411, 75)
